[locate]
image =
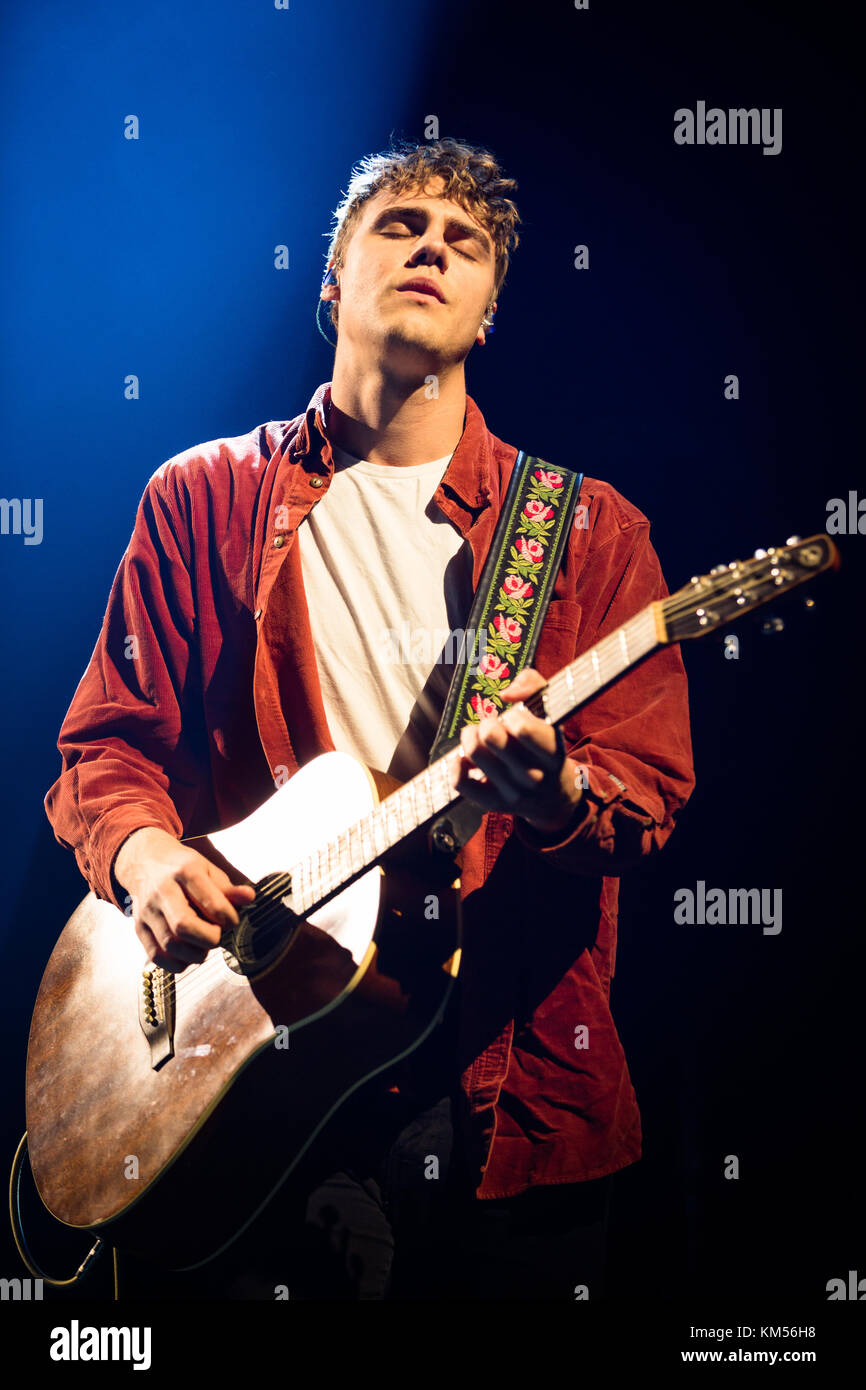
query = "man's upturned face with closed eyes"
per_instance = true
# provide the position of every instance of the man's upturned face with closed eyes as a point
(425, 240)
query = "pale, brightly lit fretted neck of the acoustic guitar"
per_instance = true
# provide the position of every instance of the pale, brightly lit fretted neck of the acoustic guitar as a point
(320, 876)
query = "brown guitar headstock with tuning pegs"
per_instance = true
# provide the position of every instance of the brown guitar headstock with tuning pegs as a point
(730, 590)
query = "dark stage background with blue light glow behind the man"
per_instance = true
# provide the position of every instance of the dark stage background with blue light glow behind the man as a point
(156, 258)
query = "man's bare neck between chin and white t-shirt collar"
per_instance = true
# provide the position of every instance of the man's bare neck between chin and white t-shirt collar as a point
(394, 422)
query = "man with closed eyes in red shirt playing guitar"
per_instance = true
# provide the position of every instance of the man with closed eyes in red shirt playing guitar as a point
(247, 633)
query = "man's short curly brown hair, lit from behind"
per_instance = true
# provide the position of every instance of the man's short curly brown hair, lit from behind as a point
(472, 177)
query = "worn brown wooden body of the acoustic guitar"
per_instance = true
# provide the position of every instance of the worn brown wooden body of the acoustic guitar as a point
(168, 1127)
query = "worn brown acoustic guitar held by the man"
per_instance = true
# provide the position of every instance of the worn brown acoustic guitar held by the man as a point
(163, 1110)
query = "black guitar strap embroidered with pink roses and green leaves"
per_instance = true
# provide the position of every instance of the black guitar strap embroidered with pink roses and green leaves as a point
(508, 614)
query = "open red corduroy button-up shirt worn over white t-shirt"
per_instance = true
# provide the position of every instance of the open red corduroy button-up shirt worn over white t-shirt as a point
(223, 696)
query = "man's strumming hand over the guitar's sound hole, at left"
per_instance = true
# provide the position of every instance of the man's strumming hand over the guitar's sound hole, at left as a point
(181, 903)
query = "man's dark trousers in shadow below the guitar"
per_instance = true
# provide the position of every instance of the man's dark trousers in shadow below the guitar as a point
(373, 1214)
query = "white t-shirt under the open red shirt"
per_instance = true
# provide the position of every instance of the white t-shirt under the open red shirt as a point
(390, 584)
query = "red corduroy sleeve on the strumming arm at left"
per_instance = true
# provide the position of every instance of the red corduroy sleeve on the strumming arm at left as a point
(127, 740)
